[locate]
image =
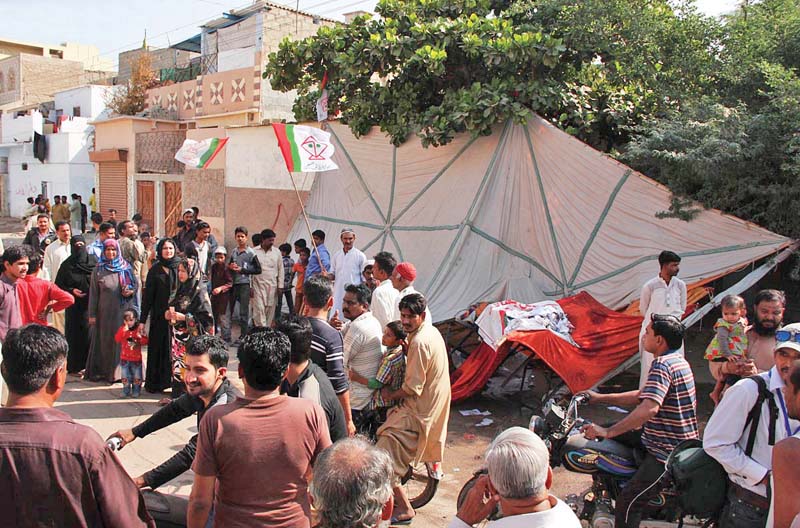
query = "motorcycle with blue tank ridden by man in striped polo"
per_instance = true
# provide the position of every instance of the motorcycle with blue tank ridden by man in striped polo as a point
(610, 463)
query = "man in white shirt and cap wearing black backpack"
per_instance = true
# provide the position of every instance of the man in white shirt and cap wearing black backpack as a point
(741, 433)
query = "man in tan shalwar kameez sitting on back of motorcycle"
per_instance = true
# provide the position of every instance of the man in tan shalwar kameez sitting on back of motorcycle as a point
(416, 430)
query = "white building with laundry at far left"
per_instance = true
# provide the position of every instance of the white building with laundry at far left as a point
(65, 167)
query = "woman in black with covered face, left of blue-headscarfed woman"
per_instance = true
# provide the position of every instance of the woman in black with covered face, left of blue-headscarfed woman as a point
(74, 276)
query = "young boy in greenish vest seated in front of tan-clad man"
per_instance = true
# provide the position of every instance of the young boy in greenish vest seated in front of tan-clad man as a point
(391, 374)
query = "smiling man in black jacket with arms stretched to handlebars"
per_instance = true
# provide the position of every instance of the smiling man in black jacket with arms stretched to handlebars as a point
(206, 386)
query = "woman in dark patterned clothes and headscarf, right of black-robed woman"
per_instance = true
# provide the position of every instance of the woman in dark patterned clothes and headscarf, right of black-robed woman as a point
(189, 315)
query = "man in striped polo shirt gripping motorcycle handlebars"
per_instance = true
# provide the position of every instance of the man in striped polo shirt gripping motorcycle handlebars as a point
(666, 414)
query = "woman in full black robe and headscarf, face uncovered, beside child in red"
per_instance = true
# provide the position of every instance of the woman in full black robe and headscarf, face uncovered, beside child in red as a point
(160, 289)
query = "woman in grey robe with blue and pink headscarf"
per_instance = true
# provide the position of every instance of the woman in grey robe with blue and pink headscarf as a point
(111, 292)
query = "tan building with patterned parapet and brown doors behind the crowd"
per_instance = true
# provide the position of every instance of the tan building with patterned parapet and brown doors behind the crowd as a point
(247, 183)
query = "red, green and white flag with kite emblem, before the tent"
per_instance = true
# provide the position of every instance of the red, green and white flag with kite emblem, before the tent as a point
(305, 148)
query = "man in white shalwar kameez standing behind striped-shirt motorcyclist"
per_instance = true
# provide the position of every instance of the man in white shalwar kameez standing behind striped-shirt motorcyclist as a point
(662, 295)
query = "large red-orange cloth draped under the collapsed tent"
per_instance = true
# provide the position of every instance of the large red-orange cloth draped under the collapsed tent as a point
(606, 338)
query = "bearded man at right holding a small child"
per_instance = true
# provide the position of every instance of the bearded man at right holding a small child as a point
(767, 319)
